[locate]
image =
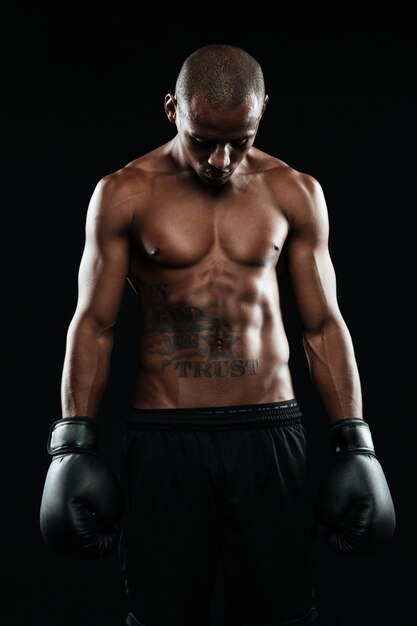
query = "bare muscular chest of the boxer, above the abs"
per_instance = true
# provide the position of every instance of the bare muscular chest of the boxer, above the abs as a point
(181, 230)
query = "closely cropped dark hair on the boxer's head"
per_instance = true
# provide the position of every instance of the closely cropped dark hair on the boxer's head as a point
(225, 75)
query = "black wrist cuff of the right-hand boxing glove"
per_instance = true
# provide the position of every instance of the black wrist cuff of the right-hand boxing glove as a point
(351, 435)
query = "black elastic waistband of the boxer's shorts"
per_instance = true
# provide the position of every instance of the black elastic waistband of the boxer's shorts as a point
(218, 417)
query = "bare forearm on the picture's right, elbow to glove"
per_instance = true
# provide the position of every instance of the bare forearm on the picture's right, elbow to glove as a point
(334, 370)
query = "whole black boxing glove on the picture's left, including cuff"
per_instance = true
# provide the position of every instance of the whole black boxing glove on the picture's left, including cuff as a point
(82, 500)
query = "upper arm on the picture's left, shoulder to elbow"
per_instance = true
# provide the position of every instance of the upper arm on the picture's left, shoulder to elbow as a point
(105, 261)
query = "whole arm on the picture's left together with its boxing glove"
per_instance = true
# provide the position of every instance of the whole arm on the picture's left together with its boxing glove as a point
(82, 501)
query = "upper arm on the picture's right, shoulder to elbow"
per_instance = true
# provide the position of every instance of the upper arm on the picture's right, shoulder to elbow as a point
(310, 266)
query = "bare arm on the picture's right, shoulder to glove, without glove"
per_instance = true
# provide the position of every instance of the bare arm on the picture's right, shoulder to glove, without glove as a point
(326, 339)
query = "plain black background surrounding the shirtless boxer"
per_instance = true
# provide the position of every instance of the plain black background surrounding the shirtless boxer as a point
(84, 95)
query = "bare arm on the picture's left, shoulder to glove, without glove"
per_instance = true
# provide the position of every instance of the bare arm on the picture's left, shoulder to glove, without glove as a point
(101, 283)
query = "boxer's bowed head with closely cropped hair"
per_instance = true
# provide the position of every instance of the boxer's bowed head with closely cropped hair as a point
(217, 106)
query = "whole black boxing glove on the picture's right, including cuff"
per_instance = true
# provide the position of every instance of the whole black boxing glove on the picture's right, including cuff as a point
(354, 502)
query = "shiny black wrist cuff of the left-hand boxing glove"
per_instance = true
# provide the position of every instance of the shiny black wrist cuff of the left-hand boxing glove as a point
(73, 434)
